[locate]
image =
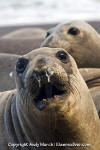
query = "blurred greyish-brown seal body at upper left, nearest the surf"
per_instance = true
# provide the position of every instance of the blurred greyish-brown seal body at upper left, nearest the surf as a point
(22, 41)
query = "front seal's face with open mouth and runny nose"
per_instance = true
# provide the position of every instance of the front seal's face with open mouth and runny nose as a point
(43, 77)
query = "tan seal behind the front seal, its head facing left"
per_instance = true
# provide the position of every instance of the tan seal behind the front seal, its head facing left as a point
(80, 38)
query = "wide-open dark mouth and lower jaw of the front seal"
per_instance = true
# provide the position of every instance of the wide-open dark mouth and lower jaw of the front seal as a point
(48, 94)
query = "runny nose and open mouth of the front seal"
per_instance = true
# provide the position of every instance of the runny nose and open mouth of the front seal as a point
(48, 90)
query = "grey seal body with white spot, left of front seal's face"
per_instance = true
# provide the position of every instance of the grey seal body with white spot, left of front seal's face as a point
(7, 63)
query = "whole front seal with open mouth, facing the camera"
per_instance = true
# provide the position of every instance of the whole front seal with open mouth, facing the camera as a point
(51, 103)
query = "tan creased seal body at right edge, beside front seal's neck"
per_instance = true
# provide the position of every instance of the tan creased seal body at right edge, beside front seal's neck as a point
(92, 79)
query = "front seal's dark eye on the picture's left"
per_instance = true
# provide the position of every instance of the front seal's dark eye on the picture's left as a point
(21, 65)
